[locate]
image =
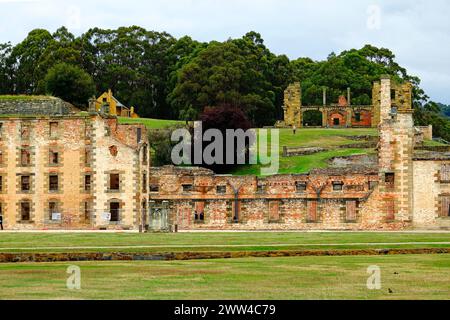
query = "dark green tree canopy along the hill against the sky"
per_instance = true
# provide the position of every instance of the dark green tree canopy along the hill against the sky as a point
(169, 78)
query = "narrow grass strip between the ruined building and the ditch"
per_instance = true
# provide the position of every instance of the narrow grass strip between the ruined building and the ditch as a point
(244, 241)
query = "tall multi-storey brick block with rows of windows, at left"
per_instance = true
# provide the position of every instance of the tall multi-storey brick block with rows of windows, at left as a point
(64, 169)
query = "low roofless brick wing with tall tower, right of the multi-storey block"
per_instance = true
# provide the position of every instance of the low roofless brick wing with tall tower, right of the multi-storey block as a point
(404, 189)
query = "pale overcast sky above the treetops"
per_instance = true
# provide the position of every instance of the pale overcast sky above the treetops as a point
(418, 31)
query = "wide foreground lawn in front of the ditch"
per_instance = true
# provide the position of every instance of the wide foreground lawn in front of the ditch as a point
(406, 277)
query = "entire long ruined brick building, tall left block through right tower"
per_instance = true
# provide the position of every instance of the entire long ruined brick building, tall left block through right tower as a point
(65, 169)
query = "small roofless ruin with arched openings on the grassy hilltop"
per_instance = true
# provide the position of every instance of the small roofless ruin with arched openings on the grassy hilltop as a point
(342, 114)
